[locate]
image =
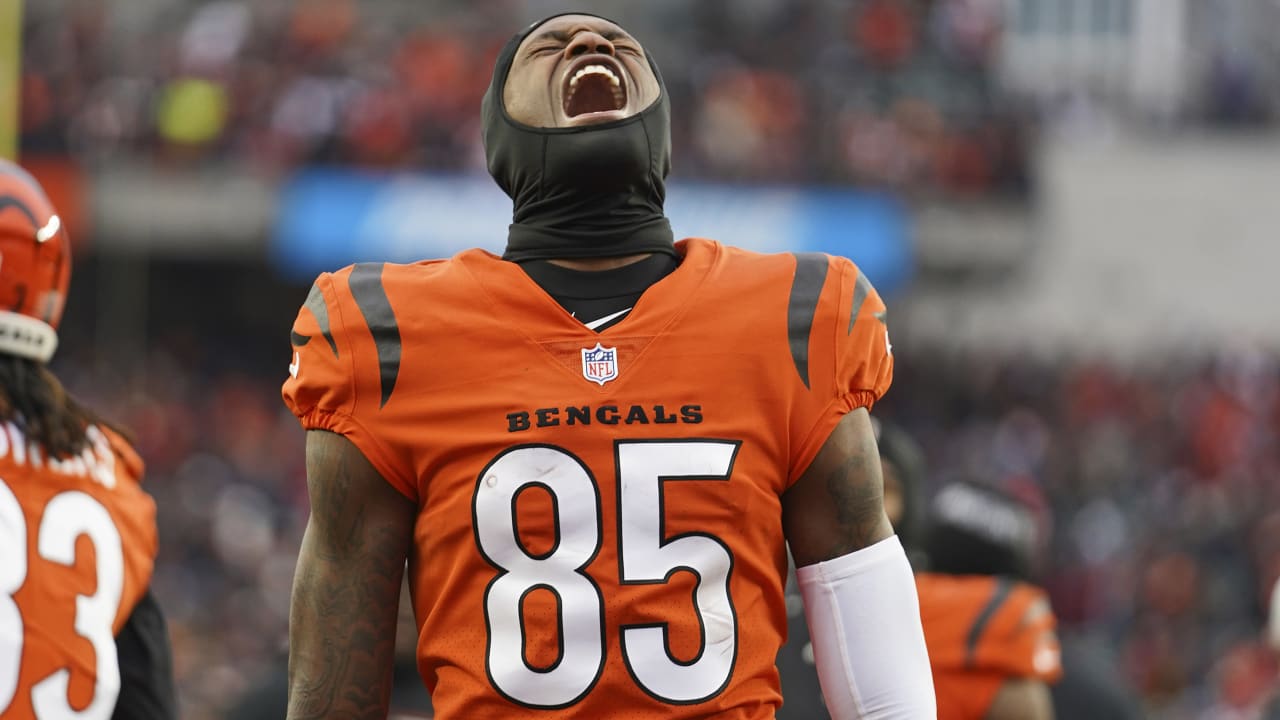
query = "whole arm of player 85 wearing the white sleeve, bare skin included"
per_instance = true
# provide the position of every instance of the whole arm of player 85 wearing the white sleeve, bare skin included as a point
(860, 596)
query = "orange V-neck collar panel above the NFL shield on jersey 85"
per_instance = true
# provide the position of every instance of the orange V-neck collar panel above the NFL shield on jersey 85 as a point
(527, 307)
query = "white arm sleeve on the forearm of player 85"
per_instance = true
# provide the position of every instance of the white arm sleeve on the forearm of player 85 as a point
(865, 623)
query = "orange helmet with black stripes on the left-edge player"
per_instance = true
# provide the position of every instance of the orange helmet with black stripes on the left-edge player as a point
(35, 267)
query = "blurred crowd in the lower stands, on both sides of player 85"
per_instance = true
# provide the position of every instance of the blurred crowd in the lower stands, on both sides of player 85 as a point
(1156, 491)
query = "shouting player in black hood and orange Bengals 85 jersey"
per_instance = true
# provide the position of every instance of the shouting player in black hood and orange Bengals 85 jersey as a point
(595, 449)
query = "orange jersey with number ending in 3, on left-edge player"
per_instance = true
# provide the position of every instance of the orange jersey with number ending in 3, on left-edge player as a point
(77, 548)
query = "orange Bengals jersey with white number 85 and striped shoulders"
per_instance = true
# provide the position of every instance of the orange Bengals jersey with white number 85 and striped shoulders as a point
(600, 530)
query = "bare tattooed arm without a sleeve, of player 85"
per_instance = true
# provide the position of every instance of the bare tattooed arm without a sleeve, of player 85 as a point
(346, 590)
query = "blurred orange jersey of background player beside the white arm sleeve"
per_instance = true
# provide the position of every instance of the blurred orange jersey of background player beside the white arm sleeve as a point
(982, 631)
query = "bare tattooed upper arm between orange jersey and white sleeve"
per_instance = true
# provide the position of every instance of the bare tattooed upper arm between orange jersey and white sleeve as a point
(838, 507)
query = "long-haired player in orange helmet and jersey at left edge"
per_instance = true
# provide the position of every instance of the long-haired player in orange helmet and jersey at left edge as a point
(81, 635)
